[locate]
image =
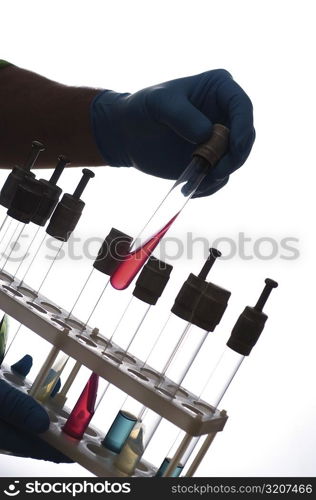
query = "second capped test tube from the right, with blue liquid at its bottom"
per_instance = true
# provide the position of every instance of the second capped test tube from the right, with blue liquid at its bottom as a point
(204, 304)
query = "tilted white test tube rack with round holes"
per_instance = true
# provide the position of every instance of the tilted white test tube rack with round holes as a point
(131, 375)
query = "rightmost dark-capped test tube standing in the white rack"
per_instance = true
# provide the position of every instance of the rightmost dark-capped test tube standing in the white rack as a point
(243, 338)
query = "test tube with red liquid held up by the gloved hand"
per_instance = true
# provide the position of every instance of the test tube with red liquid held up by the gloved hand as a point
(206, 156)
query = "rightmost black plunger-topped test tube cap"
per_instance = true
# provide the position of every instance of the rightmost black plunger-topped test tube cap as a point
(250, 323)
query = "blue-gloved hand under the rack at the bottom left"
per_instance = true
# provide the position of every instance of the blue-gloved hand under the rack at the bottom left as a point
(21, 419)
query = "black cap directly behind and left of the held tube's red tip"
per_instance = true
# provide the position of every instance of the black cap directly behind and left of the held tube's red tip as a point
(112, 251)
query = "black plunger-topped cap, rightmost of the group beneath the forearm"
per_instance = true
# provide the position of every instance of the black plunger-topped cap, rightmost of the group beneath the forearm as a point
(69, 210)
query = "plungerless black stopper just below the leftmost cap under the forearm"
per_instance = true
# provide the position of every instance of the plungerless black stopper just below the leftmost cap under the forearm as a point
(26, 200)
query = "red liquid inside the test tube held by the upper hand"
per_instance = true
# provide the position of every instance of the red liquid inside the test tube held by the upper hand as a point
(134, 261)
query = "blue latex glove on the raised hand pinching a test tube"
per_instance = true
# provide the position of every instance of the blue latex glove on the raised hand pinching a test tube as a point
(156, 129)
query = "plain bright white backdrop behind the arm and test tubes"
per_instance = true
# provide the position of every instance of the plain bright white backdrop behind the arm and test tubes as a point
(268, 46)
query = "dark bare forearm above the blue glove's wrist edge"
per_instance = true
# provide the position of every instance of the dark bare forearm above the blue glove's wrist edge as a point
(33, 107)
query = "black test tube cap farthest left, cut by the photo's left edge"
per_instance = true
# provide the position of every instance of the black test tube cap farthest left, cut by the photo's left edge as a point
(18, 175)
